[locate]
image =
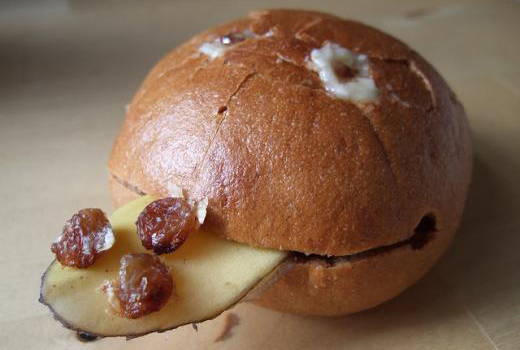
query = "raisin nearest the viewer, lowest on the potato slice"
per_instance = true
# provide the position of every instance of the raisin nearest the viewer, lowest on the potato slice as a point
(143, 286)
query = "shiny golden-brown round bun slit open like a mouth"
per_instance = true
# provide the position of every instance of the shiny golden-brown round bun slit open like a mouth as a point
(285, 165)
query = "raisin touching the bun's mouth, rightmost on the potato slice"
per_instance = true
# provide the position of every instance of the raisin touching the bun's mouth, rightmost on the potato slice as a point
(165, 224)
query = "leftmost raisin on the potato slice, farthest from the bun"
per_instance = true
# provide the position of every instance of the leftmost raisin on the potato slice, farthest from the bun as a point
(85, 237)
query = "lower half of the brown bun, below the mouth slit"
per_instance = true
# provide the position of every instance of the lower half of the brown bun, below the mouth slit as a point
(316, 288)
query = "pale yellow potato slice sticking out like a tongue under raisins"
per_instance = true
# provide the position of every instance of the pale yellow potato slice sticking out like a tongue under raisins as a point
(211, 274)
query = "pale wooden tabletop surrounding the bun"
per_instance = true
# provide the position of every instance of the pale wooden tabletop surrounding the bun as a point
(67, 69)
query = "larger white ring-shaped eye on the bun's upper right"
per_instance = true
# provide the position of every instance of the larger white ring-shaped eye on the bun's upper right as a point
(360, 88)
